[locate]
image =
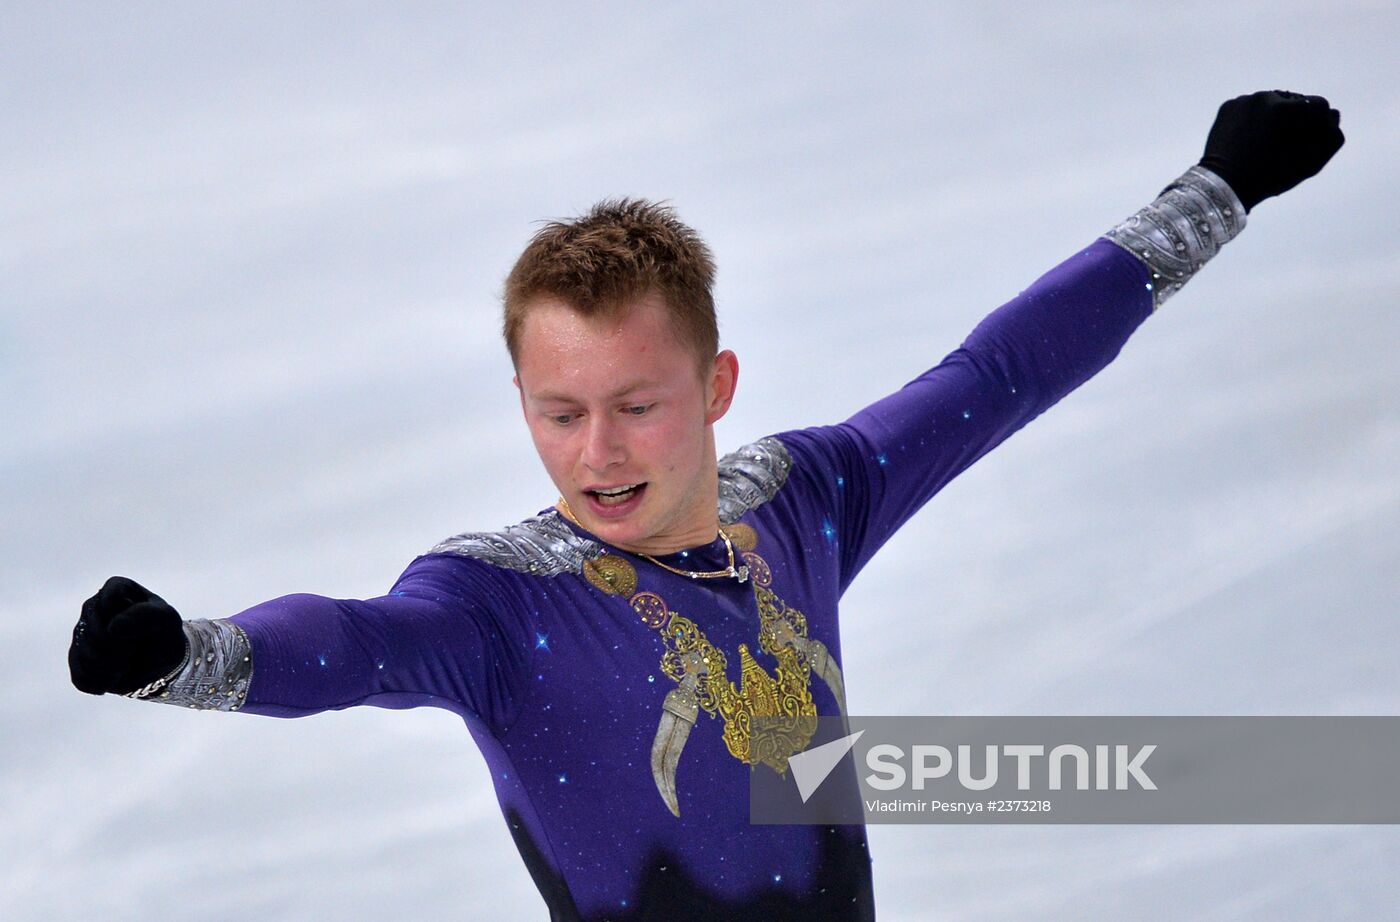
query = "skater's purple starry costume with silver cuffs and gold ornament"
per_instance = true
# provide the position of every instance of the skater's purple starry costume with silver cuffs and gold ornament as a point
(611, 697)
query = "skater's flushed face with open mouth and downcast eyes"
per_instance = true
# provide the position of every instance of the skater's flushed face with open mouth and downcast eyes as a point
(618, 402)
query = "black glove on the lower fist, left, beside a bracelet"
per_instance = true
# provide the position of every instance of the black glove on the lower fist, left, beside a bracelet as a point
(125, 639)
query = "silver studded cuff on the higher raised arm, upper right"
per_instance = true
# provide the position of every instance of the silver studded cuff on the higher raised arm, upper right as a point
(1188, 225)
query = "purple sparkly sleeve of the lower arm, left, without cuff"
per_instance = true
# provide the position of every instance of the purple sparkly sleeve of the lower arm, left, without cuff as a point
(432, 641)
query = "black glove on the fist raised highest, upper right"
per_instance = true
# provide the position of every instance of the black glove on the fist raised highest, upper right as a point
(1269, 142)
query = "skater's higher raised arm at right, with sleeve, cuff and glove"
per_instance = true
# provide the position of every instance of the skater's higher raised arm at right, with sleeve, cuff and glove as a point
(878, 468)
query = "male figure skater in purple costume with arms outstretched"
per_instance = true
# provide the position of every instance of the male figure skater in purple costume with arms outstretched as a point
(610, 653)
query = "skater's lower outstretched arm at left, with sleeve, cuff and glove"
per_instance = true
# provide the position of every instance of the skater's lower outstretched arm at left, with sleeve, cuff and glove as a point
(432, 641)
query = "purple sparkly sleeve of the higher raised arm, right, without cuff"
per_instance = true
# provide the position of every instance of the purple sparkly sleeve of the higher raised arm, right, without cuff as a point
(873, 472)
